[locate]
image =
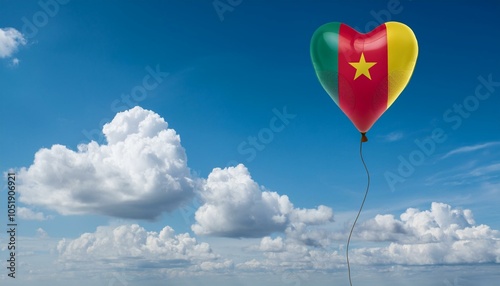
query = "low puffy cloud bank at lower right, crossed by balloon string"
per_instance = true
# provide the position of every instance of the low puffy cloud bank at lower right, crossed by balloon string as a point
(441, 235)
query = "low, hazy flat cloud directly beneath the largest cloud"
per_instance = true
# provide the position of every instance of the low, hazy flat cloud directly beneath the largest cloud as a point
(133, 246)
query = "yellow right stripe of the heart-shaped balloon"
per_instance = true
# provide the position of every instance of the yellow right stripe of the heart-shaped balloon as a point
(402, 50)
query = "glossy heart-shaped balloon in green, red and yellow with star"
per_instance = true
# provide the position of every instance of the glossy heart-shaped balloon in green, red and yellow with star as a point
(364, 73)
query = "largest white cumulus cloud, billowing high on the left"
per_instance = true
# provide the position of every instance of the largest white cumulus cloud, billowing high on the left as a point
(140, 173)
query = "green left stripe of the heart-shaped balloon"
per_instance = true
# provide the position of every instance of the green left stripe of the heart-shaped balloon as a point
(325, 40)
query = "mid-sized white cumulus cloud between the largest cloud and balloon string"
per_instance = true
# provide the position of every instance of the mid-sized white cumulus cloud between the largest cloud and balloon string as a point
(236, 206)
